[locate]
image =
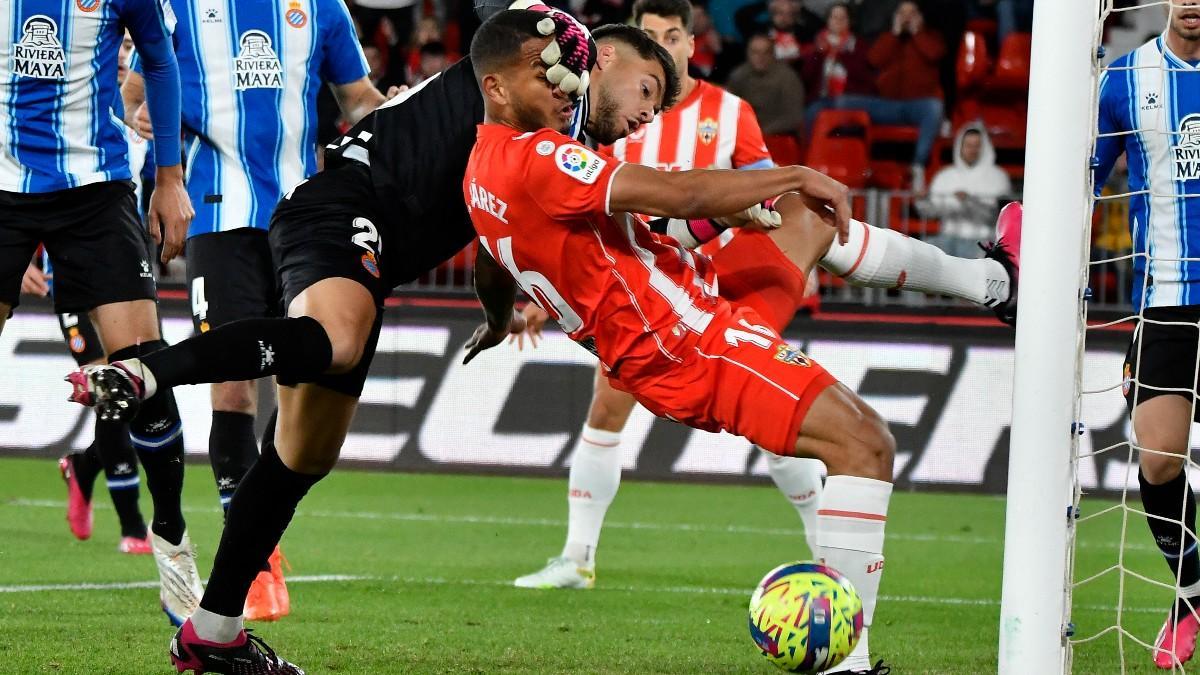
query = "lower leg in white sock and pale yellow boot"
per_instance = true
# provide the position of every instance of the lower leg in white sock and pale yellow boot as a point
(592, 486)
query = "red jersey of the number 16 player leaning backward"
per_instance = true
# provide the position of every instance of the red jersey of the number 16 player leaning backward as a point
(539, 202)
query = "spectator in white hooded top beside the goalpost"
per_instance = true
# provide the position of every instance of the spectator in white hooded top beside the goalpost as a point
(967, 196)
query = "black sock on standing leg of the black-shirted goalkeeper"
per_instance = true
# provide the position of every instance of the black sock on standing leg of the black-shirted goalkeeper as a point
(259, 515)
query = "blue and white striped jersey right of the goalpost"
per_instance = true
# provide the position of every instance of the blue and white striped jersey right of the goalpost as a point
(1155, 97)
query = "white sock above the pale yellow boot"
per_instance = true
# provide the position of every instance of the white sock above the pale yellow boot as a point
(596, 476)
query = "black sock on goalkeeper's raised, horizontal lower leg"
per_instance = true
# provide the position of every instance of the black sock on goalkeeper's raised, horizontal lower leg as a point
(298, 350)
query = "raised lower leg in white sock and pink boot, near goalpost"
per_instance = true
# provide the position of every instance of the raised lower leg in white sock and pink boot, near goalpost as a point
(885, 259)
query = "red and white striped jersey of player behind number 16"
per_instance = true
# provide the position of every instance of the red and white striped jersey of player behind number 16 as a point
(710, 129)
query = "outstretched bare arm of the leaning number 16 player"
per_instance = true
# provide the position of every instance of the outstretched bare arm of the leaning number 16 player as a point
(718, 193)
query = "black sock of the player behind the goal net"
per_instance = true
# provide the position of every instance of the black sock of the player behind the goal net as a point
(1175, 503)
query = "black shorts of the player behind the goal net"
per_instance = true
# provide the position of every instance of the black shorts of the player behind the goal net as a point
(1162, 359)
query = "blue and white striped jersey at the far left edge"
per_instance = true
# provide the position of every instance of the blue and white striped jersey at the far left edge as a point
(59, 128)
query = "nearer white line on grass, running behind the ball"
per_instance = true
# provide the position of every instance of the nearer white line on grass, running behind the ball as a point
(506, 584)
